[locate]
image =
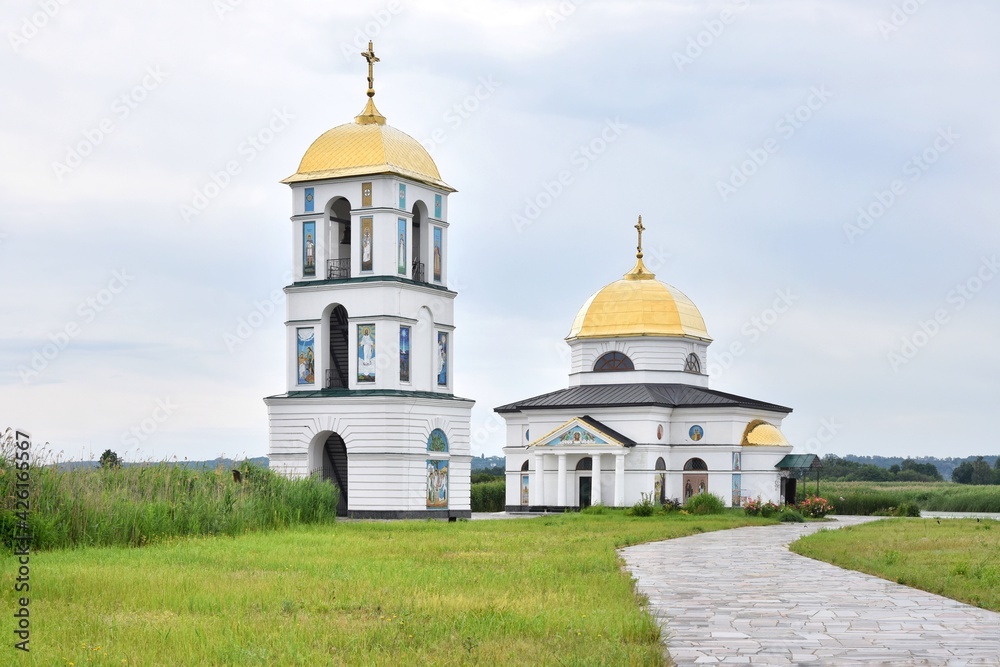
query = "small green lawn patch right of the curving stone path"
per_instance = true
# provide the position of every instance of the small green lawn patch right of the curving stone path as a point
(959, 559)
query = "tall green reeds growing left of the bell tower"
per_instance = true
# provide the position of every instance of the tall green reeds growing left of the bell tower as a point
(138, 505)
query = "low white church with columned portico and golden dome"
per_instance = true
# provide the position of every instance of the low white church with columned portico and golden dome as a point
(639, 417)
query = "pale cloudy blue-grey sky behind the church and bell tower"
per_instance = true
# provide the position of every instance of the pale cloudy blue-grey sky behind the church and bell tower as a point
(818, 177)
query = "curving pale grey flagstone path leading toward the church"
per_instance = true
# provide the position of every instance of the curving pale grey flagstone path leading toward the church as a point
(739, 596)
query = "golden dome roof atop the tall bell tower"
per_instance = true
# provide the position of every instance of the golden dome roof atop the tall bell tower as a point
(368, 147)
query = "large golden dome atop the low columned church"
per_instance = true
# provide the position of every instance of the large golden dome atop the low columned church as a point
(638, 305)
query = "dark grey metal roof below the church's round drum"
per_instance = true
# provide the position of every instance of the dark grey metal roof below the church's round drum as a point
(626, 395)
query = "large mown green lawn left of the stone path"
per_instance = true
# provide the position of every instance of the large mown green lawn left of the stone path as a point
(528, 591)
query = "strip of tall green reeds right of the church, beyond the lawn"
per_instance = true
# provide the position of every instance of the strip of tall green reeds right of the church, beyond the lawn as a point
(870, 497)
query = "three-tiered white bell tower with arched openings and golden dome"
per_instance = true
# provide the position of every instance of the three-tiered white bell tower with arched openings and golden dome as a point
(370, 335)
